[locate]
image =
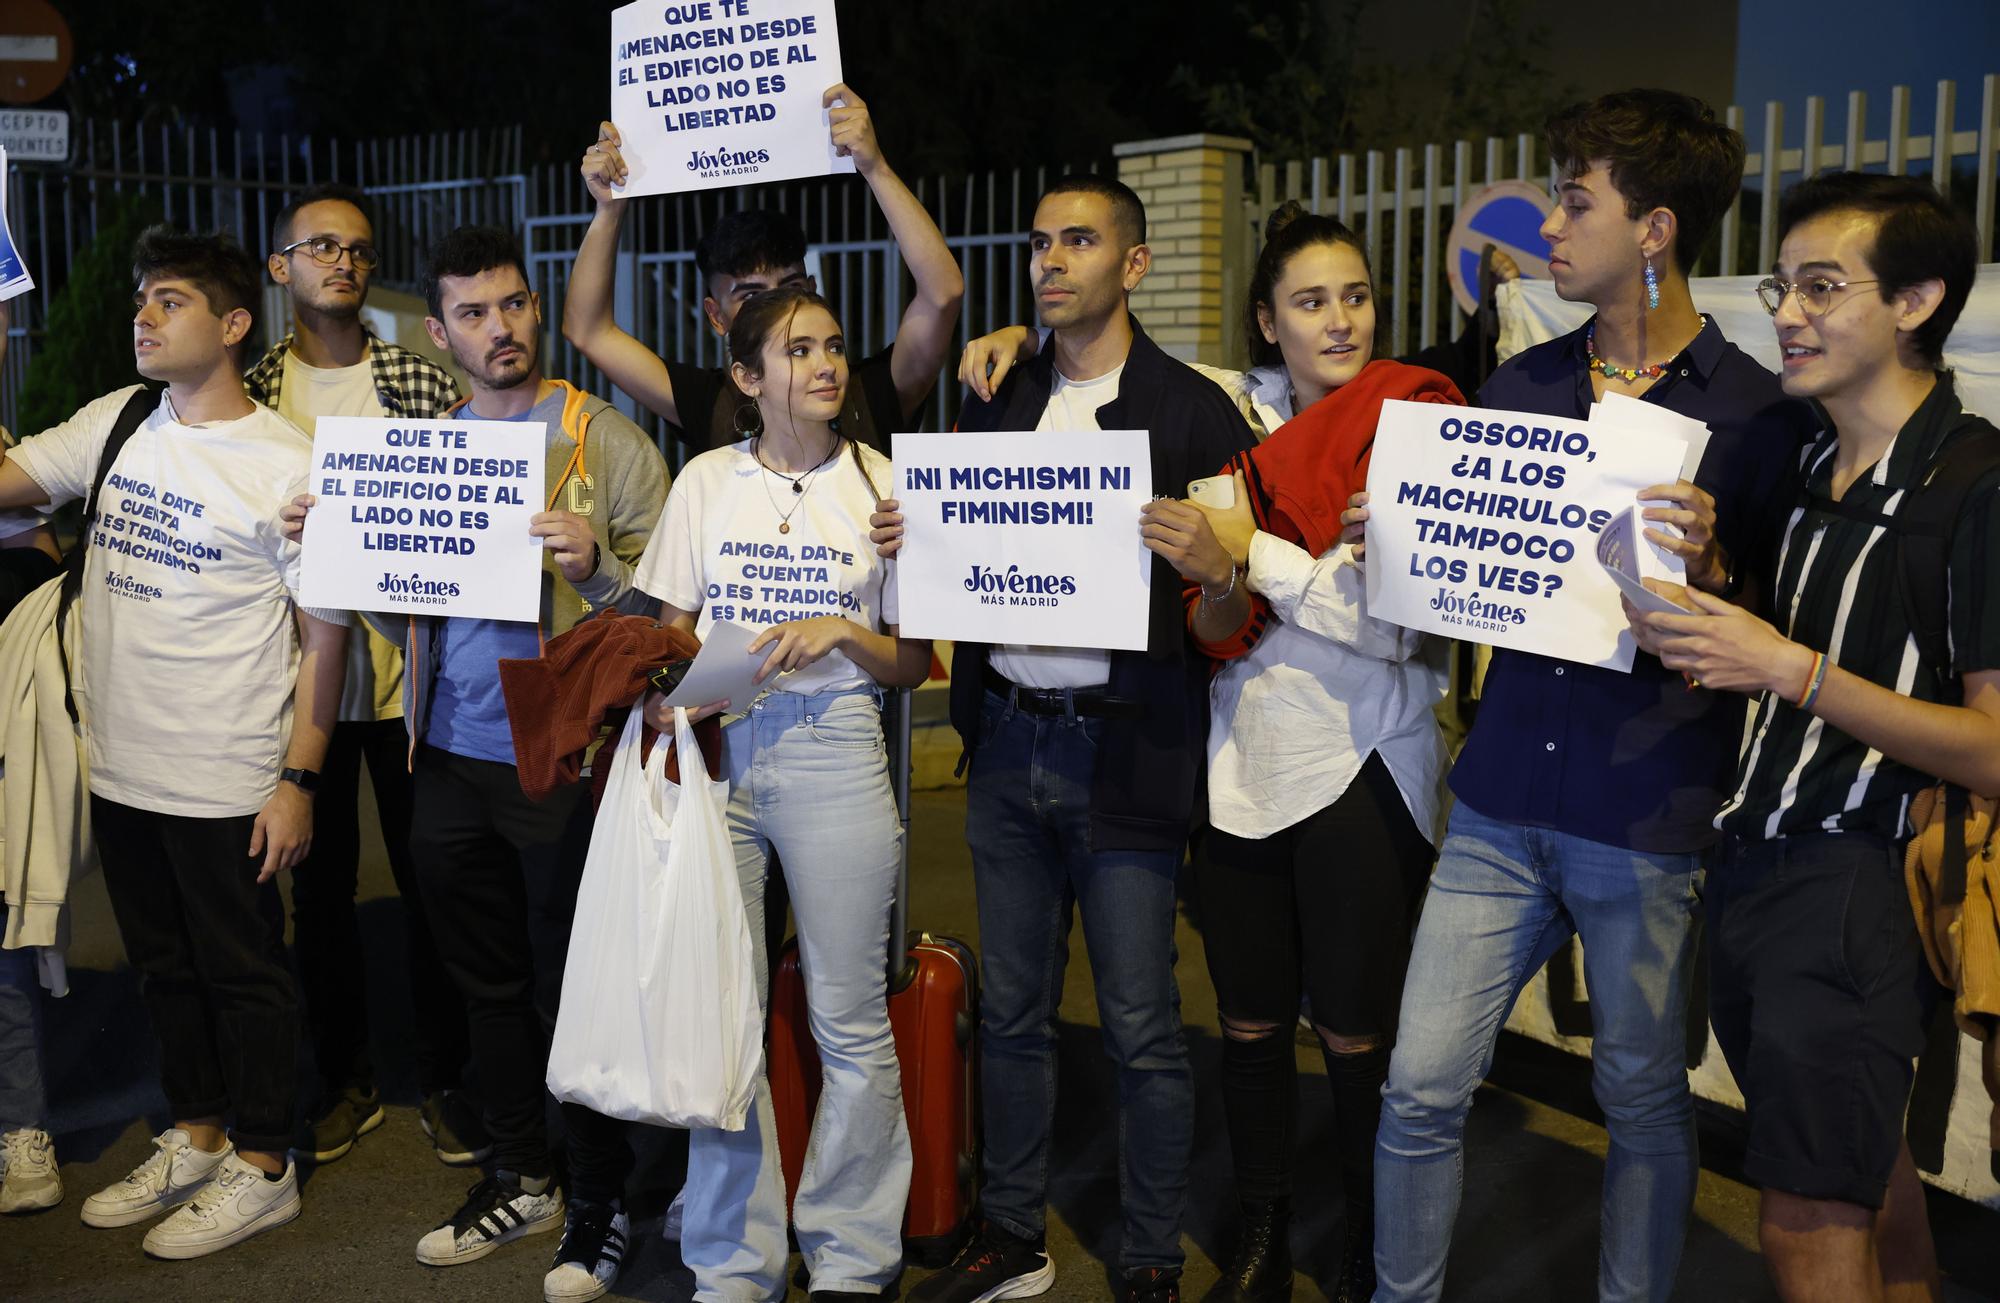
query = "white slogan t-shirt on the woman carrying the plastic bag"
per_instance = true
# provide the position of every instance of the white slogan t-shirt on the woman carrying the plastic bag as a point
(719, 551)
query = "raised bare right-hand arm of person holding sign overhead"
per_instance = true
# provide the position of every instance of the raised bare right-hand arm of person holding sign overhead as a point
(927, 325)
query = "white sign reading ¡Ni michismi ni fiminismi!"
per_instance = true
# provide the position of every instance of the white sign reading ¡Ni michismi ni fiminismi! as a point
(1025, 539)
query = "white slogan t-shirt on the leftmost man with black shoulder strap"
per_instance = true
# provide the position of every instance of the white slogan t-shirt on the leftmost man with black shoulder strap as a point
(189, 651)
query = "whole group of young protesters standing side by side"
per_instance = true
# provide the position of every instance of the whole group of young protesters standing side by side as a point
(1759, 762)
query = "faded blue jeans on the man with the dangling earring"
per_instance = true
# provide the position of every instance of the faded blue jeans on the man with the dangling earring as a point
(1503, 900)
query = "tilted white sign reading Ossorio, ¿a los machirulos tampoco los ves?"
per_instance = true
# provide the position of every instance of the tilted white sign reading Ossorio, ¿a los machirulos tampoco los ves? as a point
(1483, 527)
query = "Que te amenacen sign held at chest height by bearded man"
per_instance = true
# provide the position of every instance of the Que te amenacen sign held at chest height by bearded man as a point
(425, 517)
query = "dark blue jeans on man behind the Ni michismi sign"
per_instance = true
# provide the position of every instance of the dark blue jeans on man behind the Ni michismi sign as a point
(1029, 826)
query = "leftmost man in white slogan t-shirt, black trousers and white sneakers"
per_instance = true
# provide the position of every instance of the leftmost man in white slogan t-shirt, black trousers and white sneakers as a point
(207, 698)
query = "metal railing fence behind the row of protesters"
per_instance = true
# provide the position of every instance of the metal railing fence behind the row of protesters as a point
(1403, 203)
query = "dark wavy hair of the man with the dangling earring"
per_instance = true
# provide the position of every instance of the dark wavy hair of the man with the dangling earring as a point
(1665, 151)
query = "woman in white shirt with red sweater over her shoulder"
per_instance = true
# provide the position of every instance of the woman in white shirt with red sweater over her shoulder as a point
(1325, 762)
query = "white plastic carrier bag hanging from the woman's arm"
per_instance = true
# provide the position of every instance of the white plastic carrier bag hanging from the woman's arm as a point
(659, 1014)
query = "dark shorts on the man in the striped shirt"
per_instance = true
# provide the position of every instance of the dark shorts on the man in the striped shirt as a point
(1819, 1000)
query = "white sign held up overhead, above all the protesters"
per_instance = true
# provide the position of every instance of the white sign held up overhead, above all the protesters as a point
(723, 93)
